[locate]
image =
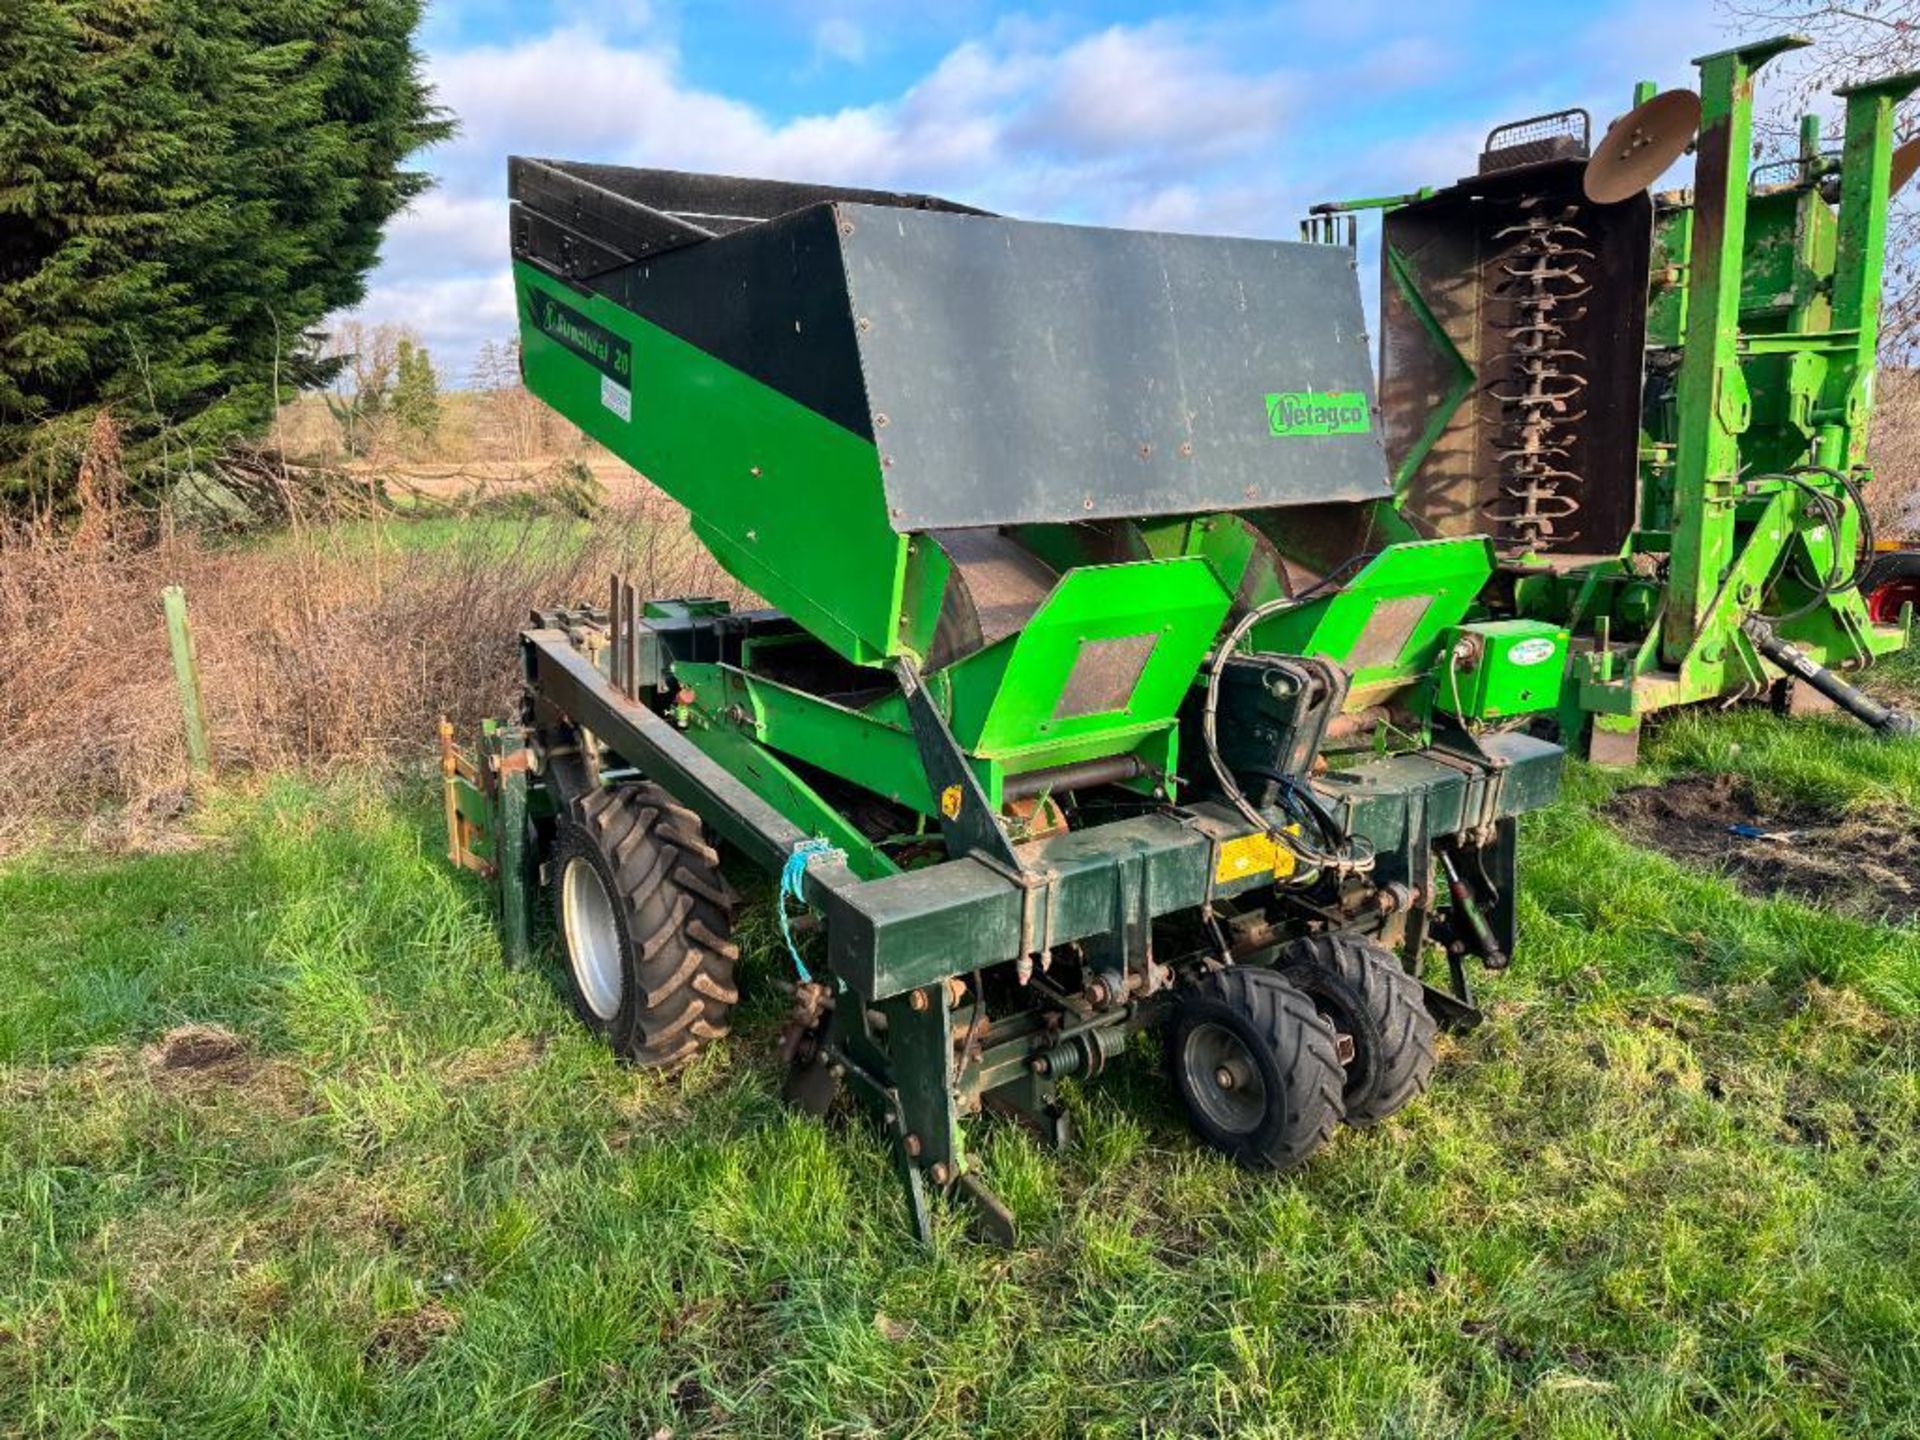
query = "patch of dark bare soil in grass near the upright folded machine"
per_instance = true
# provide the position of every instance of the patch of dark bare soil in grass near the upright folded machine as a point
(1867, 867)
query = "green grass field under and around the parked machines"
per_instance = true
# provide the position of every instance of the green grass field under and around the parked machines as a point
(1673, 1186)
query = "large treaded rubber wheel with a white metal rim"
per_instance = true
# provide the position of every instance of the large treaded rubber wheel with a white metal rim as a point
(646, 923)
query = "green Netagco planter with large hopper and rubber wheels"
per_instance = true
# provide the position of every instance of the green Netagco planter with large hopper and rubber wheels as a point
(1105, 686)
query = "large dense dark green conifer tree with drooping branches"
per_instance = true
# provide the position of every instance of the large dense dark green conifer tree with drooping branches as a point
(187, 189)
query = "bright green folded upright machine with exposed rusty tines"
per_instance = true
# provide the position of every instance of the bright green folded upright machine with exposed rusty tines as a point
(1656, 404)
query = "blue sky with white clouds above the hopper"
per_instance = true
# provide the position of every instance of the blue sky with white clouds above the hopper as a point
(1214, 118)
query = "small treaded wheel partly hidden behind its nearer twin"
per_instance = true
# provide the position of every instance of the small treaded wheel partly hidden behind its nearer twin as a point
(1364, 992)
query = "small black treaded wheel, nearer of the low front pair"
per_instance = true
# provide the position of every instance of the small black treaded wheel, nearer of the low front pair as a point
(1257, 1067)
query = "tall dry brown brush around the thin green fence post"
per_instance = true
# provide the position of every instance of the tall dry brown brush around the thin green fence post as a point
(327, 644)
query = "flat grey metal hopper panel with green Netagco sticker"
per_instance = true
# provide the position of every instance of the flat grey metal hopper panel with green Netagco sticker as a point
(1042, 373)
